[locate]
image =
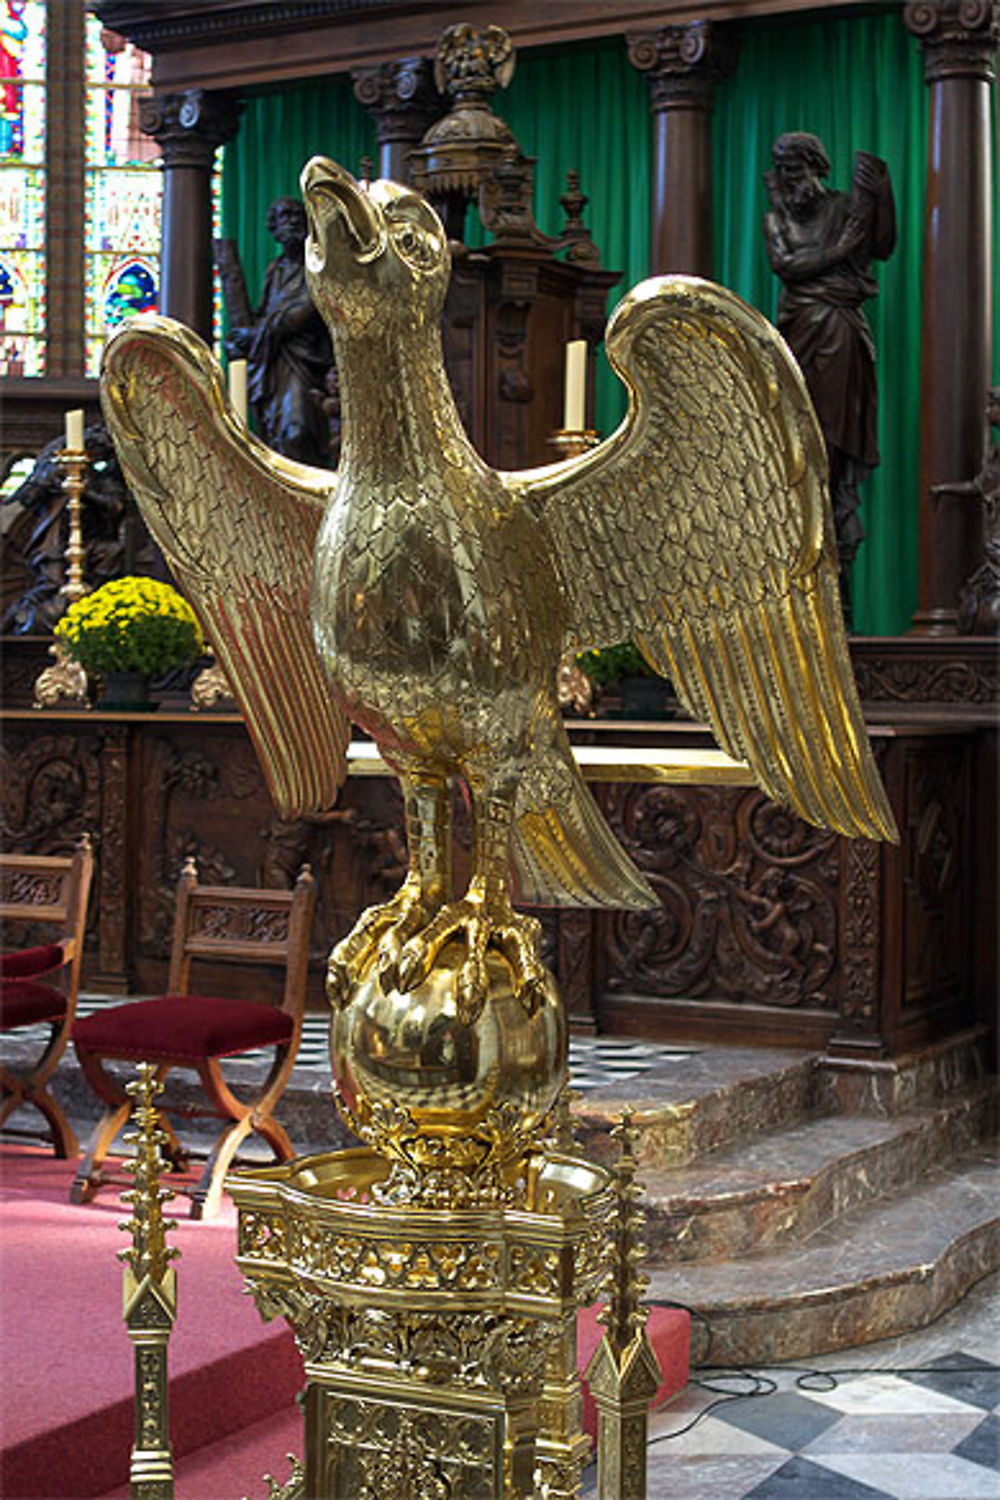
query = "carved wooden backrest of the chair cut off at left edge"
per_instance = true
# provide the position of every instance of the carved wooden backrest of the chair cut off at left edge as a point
(50, 892)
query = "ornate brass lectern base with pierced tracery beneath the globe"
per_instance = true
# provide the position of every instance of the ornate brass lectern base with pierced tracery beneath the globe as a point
(440, 1345)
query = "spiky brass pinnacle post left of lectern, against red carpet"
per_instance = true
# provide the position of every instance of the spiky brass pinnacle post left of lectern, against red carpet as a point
(151, 1295)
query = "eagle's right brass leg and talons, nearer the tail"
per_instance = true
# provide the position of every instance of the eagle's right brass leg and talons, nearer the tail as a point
(485, 917)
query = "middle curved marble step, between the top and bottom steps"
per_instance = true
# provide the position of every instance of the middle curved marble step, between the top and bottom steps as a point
(786, 1186)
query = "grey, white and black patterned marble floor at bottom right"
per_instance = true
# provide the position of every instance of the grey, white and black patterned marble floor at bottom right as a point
(915, 1418)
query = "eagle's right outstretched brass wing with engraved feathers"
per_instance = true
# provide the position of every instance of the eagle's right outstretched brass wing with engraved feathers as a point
(702, 529)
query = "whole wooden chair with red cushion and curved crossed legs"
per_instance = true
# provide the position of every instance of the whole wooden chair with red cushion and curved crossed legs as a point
(196, 1031)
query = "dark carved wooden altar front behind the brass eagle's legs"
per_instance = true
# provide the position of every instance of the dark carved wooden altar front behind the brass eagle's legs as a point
(762, 916)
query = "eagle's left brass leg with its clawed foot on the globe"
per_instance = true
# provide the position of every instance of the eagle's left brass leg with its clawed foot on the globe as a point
(383, 931)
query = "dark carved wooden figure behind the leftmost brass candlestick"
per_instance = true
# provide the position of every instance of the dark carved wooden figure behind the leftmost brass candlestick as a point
(116, 541)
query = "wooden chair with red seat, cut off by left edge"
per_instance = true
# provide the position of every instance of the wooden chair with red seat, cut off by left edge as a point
(40, 985)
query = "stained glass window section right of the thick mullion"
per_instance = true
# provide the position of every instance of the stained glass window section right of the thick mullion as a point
(124, 187)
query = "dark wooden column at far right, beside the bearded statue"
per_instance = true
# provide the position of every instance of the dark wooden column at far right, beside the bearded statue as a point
(960, 46)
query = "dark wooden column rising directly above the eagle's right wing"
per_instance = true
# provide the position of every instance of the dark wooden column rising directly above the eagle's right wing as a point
(683, 65)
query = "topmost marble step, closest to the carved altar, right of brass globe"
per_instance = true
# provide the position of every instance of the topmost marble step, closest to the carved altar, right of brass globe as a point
(716, 1099)
